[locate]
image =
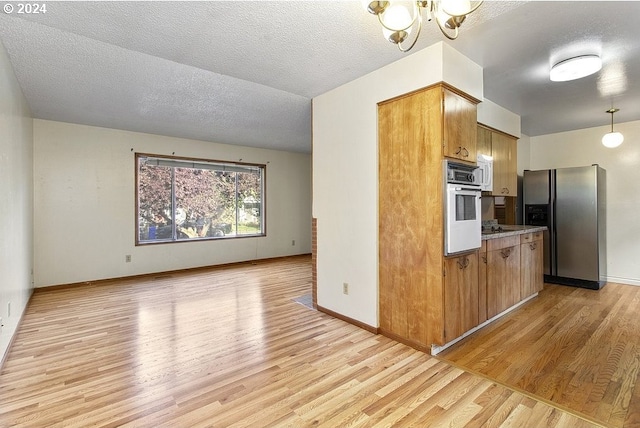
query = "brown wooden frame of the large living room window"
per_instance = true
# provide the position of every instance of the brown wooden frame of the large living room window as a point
(190, 162)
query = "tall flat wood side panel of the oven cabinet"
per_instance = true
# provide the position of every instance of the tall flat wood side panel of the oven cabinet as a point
(410, 217)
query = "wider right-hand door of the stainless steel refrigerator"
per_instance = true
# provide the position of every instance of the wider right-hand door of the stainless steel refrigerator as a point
(576, 223)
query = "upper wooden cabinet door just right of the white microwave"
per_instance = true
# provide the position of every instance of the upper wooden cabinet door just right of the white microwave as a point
(505, 168)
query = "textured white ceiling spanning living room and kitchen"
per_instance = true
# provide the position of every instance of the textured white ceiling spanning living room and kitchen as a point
(245, 72)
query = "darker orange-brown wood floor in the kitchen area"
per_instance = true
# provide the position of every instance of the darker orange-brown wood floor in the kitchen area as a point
(578, 348)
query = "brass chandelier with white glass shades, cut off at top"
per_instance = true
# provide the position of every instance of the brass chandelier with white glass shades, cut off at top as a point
(400, 18)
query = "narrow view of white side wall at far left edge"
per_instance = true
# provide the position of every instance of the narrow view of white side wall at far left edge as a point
(16, 202)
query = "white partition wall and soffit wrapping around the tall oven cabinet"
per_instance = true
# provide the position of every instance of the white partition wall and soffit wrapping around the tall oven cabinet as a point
(345, 165)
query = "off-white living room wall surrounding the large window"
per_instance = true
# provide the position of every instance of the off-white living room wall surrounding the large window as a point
(85, 205)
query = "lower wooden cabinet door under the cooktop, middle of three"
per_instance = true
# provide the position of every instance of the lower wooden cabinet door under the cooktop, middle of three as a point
(503, 279)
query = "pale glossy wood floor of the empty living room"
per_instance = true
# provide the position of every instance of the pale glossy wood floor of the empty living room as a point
(230, 347)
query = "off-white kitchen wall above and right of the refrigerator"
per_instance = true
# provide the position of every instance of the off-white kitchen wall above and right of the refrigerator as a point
(583, 147)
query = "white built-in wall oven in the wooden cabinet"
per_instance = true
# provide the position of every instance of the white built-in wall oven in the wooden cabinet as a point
(462, 214)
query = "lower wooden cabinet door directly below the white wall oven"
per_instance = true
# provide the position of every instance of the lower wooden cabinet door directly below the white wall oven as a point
(460, 295)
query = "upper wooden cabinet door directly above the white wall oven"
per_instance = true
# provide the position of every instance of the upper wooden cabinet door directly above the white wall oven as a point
(460, 127)
